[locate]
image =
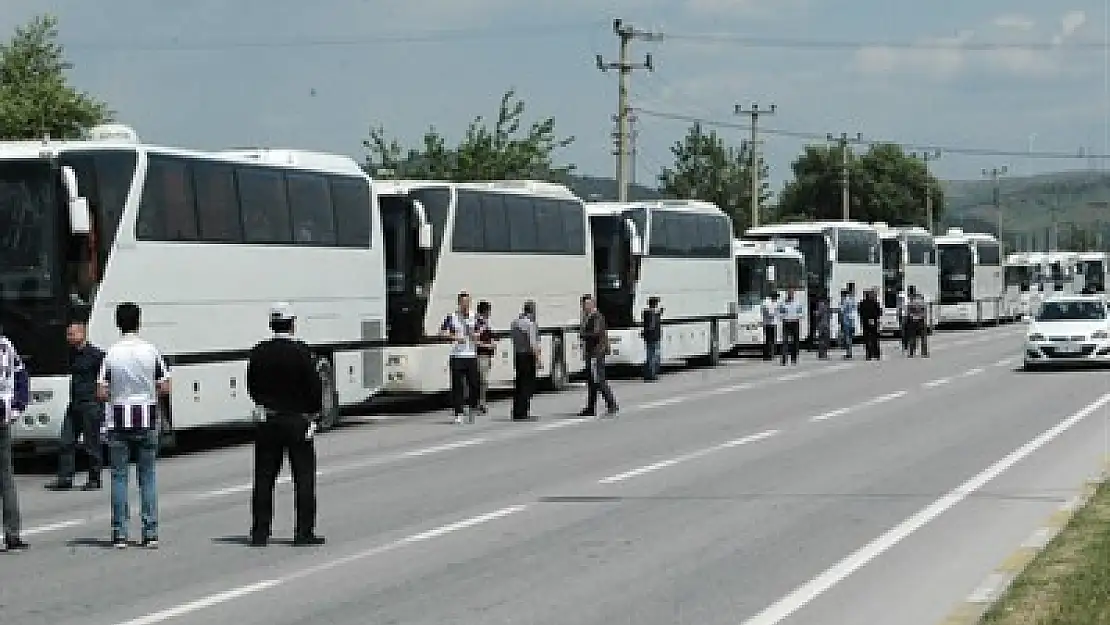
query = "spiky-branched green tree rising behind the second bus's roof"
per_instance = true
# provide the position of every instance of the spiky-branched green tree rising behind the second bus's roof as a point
(506, 152)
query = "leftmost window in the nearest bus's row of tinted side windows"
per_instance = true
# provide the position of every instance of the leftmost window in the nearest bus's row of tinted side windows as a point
(167, 213)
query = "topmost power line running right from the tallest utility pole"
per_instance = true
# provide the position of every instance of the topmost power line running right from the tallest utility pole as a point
(853, 45)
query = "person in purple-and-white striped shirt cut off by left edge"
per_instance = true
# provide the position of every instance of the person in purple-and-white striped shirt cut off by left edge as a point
(15, 395)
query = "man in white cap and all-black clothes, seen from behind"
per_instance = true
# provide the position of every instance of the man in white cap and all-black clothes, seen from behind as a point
(282, 380)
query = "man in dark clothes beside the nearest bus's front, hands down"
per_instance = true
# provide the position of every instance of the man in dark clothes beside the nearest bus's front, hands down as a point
(85, 414)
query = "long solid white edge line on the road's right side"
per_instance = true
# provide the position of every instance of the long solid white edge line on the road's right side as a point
(800, 598)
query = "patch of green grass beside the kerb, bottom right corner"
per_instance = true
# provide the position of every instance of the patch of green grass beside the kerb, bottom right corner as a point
(1069, 582)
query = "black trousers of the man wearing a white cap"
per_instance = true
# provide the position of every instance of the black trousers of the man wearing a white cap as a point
(275, 438)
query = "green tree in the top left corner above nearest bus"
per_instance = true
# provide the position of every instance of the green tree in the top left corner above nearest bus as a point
(36, 98)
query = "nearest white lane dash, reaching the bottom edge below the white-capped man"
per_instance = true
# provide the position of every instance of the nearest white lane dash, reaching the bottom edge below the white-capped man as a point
(240, 592)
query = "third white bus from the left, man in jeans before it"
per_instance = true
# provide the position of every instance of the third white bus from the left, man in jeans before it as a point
(688, 264)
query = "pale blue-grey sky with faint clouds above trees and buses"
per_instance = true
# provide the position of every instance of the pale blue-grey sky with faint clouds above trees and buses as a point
(945, 74)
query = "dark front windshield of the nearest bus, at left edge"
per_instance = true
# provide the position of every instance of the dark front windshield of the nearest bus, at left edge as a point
(28, 231)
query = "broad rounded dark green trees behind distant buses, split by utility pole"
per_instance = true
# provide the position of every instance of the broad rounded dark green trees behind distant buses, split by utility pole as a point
(885, 185)
